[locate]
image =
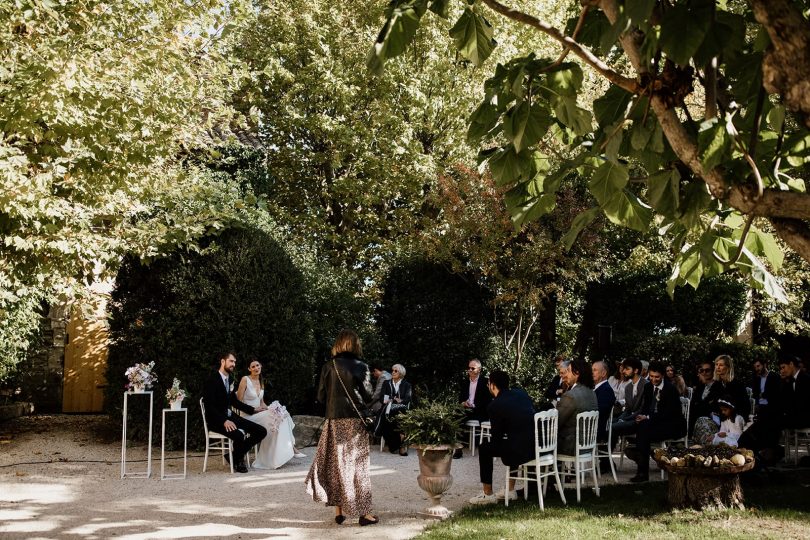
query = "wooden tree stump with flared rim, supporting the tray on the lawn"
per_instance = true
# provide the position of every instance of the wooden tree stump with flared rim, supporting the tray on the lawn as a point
(706, 488)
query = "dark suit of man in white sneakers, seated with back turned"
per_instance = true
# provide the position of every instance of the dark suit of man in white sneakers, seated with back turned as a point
(512, 432)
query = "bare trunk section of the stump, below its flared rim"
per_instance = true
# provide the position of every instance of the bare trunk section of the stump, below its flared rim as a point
(717, 492)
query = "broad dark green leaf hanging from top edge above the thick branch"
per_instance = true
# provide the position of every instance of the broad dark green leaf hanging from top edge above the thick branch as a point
(683, 29)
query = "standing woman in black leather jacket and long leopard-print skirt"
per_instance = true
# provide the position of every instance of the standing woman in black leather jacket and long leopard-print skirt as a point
(339, 475)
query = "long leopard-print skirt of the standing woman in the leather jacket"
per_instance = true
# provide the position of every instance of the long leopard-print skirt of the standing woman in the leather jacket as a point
(339, 474)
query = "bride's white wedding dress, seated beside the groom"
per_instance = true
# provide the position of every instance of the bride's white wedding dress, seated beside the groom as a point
(277, 448)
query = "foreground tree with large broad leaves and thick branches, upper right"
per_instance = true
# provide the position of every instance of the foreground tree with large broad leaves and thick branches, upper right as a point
(713, 168)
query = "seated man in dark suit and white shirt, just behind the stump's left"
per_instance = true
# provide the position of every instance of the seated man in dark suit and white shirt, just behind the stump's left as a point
(664, 421)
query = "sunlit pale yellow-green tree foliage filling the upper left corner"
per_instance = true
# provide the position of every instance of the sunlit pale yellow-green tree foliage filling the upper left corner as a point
(99, 104)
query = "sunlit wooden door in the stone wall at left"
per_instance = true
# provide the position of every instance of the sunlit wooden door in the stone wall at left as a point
(85, 363)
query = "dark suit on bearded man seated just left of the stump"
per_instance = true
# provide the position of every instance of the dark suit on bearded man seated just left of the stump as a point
(665, 422)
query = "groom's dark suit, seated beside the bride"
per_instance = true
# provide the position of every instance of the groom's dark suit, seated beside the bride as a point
(218, 402)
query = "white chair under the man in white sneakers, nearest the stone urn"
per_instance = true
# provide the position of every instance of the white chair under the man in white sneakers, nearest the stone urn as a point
(545, 458)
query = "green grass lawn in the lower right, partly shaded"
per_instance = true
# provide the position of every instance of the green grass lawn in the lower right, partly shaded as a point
(777, 506)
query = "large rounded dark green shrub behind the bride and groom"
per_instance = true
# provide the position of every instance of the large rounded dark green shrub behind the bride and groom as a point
(244, 293)
